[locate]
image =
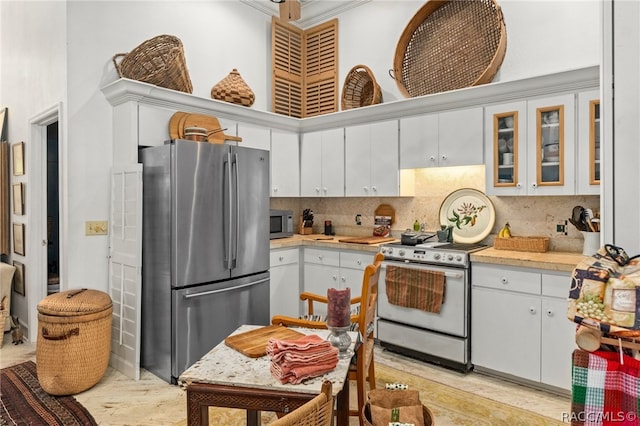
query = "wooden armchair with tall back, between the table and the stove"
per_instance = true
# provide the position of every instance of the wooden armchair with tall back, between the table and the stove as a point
(363, 371)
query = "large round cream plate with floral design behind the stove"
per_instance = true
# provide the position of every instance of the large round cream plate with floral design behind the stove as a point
(470, 213)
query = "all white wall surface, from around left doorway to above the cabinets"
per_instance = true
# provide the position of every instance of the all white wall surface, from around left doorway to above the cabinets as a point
(61, 52)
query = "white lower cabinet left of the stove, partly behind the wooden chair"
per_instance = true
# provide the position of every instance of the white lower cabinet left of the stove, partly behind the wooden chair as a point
(326, 268)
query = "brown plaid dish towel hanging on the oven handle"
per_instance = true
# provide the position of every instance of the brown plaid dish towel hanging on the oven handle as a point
(415, 288)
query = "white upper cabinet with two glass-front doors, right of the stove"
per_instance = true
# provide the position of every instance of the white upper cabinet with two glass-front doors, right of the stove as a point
(530, 147)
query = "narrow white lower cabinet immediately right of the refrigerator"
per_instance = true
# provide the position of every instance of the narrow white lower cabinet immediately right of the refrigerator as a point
(285, 290)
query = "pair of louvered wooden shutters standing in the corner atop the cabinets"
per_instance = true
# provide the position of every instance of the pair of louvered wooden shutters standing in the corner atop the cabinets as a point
(305, 69)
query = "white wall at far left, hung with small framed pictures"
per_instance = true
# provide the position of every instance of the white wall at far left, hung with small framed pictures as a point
(32, 79)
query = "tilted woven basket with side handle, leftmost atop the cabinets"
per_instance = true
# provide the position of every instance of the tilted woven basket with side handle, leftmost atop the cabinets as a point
(158, 61)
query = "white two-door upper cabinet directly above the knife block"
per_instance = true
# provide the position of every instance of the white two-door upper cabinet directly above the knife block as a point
(322, 163)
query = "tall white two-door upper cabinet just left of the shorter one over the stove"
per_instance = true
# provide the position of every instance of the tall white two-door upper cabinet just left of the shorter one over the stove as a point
(371, 160)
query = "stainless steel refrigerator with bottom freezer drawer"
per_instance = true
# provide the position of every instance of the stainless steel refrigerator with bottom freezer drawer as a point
(205, 249)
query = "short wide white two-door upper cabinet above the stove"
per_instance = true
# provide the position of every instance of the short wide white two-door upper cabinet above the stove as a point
(452, 138)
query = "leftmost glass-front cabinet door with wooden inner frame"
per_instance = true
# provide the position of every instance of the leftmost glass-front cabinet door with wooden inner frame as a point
(505, 137)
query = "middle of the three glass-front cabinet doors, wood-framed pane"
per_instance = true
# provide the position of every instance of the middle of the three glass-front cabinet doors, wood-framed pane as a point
(551, 145)
